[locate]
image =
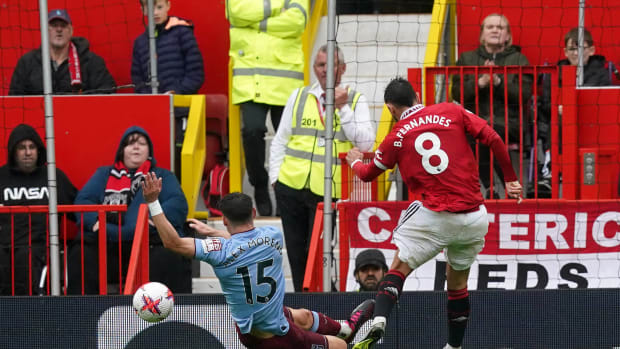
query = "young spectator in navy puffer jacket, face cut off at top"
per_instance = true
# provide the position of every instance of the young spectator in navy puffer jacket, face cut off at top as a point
(179, 63)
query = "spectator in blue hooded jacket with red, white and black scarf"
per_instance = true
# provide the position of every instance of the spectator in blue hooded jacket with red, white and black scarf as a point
(119, 184)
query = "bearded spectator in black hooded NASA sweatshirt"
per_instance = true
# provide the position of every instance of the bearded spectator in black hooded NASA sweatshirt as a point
(23, 182)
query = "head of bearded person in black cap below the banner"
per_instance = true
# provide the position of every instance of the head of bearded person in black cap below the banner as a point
(370, 267)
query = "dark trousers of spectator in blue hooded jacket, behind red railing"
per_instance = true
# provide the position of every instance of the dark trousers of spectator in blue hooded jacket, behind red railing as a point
(165, 266)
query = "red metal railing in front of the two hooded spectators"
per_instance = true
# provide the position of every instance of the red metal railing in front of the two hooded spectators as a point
(26, 259)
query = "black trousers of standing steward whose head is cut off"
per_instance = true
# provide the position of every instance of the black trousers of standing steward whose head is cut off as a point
(254, 116)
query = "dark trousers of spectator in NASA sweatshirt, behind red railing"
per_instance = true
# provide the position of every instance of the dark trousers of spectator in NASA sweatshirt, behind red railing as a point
(25, 279)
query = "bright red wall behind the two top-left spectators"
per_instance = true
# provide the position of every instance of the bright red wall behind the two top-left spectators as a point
(111, 27)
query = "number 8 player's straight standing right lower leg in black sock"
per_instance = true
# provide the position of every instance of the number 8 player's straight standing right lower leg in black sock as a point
(458, 306)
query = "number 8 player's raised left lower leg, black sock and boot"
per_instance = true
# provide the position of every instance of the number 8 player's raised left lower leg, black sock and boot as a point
(389, 291)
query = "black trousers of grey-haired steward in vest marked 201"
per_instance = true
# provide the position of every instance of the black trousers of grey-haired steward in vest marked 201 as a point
(297, 210)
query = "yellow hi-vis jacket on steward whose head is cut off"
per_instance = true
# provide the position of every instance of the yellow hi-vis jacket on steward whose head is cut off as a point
(266, 49)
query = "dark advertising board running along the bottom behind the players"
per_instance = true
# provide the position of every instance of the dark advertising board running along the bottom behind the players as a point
(500, 319)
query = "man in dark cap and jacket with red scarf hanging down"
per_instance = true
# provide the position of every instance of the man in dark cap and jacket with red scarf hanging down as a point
(75, 69)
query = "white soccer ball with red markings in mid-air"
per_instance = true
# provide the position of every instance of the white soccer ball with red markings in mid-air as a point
(153, 301)
